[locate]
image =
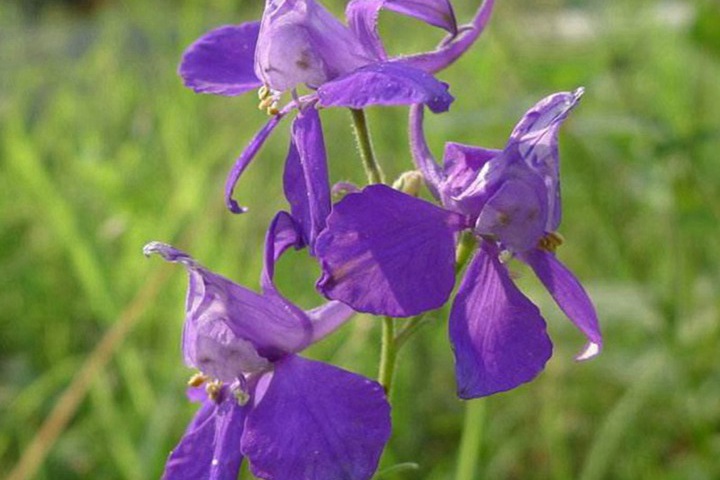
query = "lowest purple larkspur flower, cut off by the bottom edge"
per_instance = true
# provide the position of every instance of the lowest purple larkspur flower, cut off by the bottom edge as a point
(291, 417)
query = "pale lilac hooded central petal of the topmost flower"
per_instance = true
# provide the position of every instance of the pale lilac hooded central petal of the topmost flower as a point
(301, 42)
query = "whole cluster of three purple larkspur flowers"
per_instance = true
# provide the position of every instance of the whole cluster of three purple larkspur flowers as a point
(382, 250)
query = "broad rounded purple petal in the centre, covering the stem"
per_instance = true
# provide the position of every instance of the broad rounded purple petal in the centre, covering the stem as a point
(388, 253)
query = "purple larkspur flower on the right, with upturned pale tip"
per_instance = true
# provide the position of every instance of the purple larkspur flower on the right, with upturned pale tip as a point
(388, 253)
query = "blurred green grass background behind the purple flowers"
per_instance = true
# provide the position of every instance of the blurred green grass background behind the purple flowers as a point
(102, 150)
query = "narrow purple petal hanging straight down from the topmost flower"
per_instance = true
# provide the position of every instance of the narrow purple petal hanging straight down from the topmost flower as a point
(306, 182)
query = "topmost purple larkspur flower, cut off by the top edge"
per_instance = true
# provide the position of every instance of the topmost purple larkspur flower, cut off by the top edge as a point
(298, 42)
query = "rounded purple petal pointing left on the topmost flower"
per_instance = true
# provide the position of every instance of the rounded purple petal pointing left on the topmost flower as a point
(222, 61)
